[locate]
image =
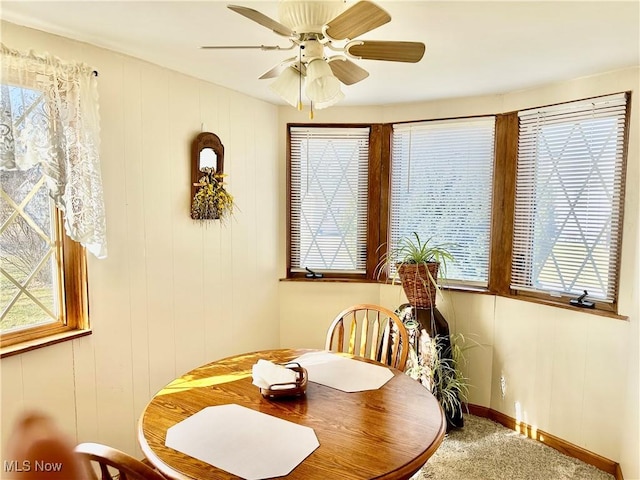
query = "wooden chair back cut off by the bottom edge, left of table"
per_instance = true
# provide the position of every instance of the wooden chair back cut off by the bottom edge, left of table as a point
(110, 459)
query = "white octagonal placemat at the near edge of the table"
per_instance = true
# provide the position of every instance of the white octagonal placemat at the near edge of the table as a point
(244, 442)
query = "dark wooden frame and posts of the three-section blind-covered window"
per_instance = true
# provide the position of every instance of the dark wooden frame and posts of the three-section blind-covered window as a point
(502, 221)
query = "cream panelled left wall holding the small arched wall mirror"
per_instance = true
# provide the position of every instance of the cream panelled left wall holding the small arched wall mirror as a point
(173, 293)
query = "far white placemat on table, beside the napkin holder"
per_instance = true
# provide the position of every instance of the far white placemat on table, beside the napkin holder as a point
(343, 373)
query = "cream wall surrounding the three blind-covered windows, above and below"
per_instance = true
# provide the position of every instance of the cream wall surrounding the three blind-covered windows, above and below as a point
(571, 374)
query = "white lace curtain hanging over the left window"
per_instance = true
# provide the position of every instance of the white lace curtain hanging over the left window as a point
(49, 116)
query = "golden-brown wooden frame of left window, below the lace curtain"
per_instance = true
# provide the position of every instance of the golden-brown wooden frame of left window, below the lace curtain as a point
(72, 294)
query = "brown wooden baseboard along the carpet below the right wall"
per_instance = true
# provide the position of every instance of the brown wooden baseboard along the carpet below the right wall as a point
(598, 461)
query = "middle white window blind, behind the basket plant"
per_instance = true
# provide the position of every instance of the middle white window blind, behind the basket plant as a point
(441, 188)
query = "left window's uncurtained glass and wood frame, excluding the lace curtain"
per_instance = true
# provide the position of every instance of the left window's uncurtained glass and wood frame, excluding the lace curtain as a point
(33, 297)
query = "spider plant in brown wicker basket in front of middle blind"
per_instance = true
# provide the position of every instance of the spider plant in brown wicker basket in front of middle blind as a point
(416, 264)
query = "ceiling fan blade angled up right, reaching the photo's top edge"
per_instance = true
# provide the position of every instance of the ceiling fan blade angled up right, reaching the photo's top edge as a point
(360, 18)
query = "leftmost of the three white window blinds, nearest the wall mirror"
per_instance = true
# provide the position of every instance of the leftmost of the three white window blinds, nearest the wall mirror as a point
(328, 195)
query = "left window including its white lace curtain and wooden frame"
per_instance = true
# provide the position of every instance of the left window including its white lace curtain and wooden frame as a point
(51, 204)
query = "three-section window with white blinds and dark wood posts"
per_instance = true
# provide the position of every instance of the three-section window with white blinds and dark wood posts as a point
(532, 201)
